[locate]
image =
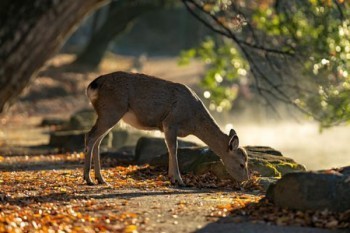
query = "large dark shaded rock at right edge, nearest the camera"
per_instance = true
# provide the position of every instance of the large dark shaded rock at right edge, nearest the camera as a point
(313, 191)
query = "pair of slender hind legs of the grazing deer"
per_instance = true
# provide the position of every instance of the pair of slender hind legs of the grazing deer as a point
(103, 125)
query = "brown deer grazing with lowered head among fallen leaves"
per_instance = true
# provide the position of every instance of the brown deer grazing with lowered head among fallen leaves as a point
(150, 103)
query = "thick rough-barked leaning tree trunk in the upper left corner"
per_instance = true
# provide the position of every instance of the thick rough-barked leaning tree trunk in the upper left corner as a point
(30, 33)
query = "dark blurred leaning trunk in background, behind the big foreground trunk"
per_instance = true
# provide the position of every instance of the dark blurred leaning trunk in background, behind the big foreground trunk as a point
(120, 17)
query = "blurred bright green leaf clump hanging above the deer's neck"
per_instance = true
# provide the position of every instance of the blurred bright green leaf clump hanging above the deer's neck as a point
(225, 69)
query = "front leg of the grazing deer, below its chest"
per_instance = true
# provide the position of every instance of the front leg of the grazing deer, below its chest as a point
(171, 142)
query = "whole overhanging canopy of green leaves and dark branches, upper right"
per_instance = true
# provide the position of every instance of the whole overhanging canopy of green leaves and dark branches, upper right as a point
(295, 51)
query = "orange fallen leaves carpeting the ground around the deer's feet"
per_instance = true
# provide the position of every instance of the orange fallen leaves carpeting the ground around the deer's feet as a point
(35, 199)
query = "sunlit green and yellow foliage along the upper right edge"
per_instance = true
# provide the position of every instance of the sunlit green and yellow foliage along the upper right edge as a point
(323, 40)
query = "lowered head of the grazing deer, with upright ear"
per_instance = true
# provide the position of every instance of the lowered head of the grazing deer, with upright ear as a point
(236, 159)
